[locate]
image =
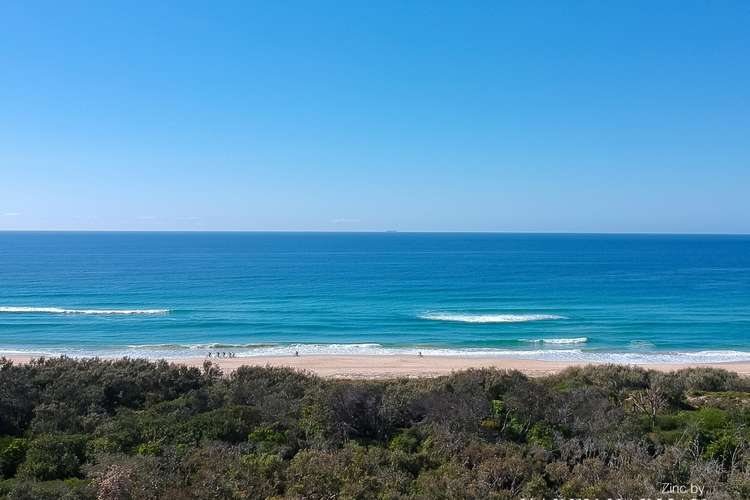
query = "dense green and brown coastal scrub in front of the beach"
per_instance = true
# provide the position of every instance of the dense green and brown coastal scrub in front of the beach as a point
(133, 429)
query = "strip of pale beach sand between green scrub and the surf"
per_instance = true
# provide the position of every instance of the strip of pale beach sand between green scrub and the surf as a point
(410, 366)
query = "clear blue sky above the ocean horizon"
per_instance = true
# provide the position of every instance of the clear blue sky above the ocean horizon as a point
(541, 116)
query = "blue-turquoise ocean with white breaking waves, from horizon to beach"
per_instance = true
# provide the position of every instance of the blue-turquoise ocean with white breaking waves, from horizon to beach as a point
(541, 296)
